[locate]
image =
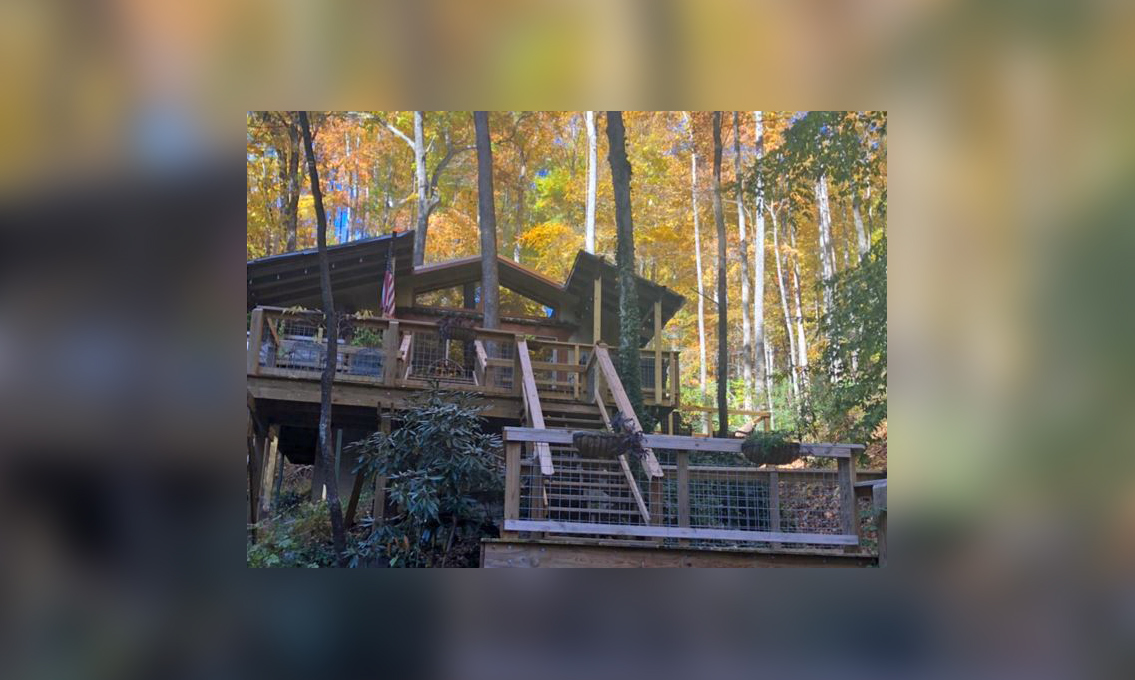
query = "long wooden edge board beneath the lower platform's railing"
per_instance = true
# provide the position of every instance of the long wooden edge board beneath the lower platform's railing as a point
(498, 553)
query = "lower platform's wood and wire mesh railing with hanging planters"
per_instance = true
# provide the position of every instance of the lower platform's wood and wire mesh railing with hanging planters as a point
(709, 494)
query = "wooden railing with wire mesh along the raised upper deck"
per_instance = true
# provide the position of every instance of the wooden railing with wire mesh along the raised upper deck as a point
(396, 352)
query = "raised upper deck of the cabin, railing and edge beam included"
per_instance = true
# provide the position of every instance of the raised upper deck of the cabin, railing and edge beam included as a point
(389, 359)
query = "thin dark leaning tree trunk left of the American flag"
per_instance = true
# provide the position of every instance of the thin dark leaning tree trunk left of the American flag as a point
(331, 322)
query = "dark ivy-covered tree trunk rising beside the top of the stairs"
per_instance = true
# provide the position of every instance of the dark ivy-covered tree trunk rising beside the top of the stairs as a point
(630, 326)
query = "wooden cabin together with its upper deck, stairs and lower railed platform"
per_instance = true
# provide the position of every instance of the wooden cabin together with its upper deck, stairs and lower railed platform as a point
(547, 372)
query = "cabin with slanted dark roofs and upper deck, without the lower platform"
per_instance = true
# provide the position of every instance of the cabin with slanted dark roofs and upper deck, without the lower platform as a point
(559, 323)
